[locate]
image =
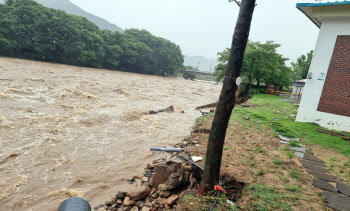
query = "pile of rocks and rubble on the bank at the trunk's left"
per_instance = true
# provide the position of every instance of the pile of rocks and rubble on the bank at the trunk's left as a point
(163, 185)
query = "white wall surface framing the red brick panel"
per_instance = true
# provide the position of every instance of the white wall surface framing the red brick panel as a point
(330, 29)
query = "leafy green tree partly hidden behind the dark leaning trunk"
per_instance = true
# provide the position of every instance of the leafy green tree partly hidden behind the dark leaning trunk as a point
(261, 64)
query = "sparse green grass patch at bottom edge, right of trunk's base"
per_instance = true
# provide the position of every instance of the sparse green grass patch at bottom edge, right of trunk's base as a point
(267, 198)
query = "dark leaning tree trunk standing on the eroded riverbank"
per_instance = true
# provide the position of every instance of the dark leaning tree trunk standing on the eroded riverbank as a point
(227, 98)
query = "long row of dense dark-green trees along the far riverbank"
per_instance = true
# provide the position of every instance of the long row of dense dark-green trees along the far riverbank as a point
(30, 30)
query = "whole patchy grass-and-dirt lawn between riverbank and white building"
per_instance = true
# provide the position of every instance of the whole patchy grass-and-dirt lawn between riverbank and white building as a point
(273, 176)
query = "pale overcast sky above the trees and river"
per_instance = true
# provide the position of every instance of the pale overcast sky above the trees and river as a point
(205, 27)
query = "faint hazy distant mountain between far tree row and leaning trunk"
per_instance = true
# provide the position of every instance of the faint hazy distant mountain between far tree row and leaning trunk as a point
(203, 64)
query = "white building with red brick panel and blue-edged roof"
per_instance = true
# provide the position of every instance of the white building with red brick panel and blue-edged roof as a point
(326, 96)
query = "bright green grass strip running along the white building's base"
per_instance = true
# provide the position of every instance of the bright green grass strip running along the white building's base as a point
(271, 107)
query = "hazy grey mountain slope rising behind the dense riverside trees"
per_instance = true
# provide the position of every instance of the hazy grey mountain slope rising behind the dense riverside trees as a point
(69, 7)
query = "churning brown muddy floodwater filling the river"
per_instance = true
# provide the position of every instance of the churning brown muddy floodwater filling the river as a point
(73, 131)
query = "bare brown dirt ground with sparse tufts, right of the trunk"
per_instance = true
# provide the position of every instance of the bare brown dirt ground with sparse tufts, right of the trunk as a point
(253, 155)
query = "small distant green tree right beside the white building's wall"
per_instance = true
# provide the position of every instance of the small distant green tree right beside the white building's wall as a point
(302, 65)
